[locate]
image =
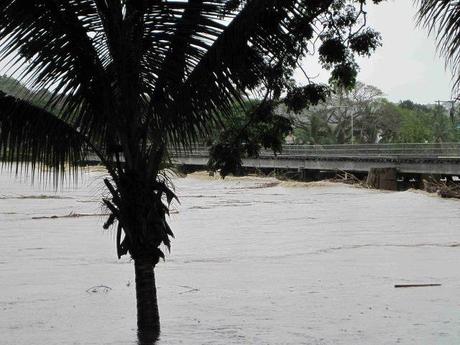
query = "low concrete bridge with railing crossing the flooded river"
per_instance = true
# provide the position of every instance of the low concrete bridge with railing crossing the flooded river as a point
(407, 159)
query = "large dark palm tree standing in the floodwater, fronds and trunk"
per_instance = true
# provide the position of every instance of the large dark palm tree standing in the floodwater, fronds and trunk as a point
(132, 78)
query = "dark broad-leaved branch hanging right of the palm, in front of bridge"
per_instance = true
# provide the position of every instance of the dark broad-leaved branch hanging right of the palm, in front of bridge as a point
(341, 34)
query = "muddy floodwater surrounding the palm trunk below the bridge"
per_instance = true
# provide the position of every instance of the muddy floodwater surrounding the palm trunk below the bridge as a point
(254, 262)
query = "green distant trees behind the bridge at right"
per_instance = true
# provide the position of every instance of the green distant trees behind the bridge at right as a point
(364, 116)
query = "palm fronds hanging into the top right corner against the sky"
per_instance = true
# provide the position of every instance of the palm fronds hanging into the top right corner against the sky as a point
(443, 18)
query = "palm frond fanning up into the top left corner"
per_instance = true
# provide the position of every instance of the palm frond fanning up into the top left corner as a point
(60, 41)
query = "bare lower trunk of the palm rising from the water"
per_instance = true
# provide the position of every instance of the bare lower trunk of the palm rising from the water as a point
(148, 318)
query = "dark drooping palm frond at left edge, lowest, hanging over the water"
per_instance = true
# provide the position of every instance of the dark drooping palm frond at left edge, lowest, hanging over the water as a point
(31, 137)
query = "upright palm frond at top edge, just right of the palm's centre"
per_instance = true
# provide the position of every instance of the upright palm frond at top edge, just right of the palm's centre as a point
(176, 33)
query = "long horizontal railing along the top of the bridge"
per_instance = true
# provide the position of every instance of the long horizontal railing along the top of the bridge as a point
(442, 150)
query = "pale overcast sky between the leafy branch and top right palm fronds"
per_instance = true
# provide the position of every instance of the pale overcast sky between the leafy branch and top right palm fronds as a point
(407, 65)
